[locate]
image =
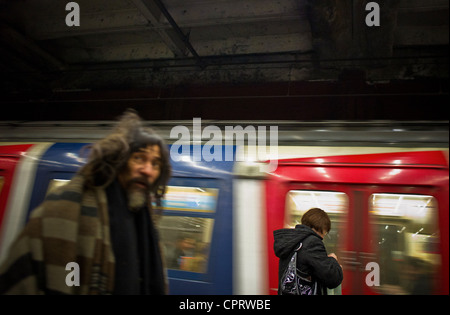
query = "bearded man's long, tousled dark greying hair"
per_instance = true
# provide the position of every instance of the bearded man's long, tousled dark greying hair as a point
(109, 156)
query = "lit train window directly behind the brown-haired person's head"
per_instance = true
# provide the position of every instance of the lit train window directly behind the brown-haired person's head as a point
(334, 203)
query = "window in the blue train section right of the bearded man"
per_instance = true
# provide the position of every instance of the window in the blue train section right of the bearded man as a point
(186, 227)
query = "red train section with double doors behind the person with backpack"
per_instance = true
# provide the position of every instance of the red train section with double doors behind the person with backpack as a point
(387, 212)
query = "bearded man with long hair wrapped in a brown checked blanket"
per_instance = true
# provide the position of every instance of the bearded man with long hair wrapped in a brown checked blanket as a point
(102, 220)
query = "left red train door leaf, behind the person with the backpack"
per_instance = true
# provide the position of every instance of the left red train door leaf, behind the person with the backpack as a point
(287, 202)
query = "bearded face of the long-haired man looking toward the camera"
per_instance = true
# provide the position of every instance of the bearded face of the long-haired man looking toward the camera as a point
(143, 169)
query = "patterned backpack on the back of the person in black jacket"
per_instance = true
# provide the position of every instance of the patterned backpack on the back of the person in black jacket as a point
(295, 282)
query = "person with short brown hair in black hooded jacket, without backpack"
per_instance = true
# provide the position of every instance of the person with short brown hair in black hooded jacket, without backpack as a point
(312, 258)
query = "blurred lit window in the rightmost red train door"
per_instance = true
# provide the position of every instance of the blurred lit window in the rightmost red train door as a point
(407, 242)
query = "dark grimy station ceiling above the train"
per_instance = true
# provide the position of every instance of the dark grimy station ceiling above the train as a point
(140, 44)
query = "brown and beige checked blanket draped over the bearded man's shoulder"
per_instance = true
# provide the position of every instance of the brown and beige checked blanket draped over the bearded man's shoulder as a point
(71, 225)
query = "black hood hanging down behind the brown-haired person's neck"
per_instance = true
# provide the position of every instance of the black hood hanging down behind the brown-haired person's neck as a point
(287, 240)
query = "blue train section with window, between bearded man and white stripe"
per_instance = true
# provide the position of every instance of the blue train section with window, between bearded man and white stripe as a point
(196, 226)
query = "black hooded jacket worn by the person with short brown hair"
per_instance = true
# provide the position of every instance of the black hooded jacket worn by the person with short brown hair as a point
(312, 258)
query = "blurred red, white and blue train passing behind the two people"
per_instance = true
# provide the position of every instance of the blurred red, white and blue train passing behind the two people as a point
(385, 186)
